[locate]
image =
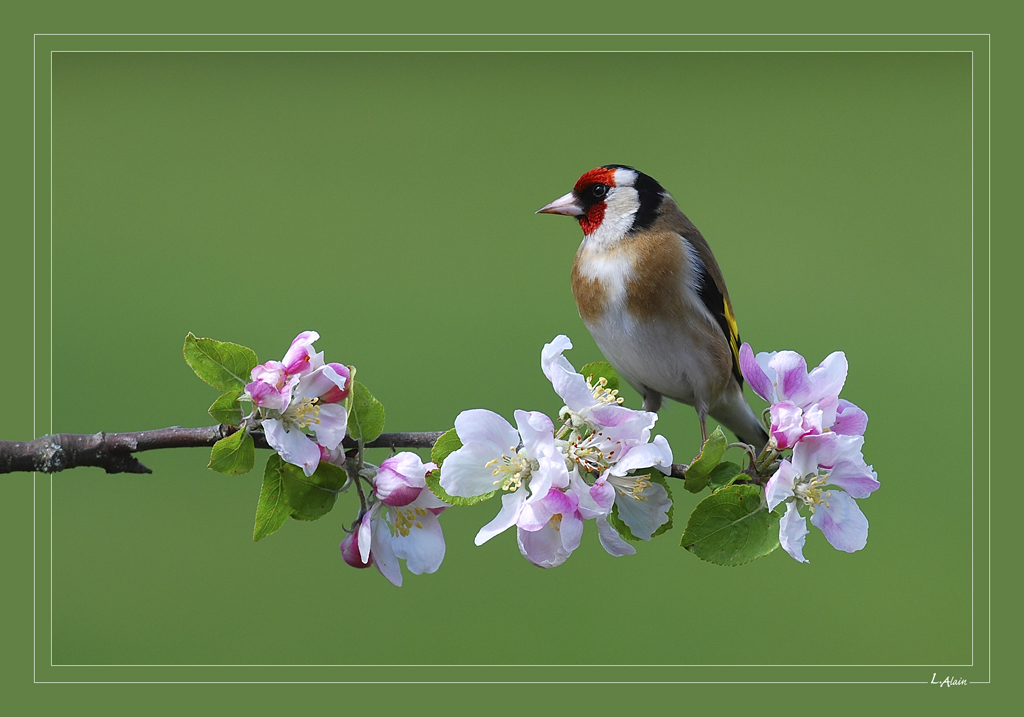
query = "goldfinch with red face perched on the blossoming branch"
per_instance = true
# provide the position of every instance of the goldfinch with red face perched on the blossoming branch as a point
(652, 294)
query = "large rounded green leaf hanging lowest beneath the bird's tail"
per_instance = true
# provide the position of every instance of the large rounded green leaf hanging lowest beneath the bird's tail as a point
(732, 527)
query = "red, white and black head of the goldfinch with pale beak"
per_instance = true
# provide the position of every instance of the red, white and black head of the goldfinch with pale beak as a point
(613, 201)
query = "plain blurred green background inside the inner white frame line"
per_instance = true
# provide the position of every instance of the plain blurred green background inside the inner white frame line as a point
(387, 201)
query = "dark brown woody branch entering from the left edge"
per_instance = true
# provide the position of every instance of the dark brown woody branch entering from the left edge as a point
(113, 452)
